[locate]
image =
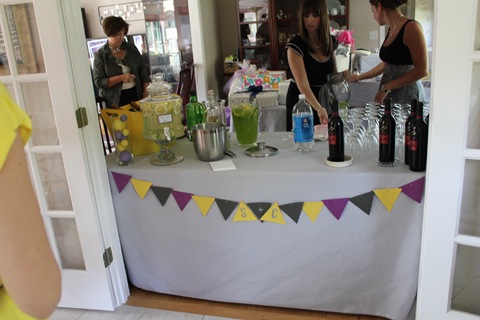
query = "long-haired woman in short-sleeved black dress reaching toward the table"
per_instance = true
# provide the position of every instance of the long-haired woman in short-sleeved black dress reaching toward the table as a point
(311, 58)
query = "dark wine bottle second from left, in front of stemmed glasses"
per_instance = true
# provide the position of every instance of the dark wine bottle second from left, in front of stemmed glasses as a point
(387, 135)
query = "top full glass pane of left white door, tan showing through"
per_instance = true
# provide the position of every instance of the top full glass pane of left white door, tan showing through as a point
(22, 25)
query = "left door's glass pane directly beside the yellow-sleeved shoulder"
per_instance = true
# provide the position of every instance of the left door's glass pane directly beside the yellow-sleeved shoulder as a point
(38, 104)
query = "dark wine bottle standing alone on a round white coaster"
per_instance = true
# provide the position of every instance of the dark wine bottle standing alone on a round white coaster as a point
(336, 147)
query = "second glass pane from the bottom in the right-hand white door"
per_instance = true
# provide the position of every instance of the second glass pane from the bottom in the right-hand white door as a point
(470, 210)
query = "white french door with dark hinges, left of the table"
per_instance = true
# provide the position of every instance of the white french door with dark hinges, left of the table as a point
(44, 64)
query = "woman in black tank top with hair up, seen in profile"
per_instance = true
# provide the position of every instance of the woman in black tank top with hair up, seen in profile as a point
(403, 54)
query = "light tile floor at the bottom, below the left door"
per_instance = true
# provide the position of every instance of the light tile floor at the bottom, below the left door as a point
(125, 312)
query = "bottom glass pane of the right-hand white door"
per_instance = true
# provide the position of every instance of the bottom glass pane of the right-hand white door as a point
(466, 282)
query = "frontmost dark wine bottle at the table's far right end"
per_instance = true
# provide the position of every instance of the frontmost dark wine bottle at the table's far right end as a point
(418, 142)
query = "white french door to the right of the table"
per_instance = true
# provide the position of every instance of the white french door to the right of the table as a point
(449, 283)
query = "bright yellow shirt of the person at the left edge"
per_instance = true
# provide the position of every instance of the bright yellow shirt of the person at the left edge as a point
(12, 120)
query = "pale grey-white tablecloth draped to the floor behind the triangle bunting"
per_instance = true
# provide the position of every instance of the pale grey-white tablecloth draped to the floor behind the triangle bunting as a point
(361, 264)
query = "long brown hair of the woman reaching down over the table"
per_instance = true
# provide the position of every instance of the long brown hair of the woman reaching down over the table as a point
(319, 7)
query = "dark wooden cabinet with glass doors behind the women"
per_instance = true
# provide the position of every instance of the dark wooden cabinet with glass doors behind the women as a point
(266, 26)
